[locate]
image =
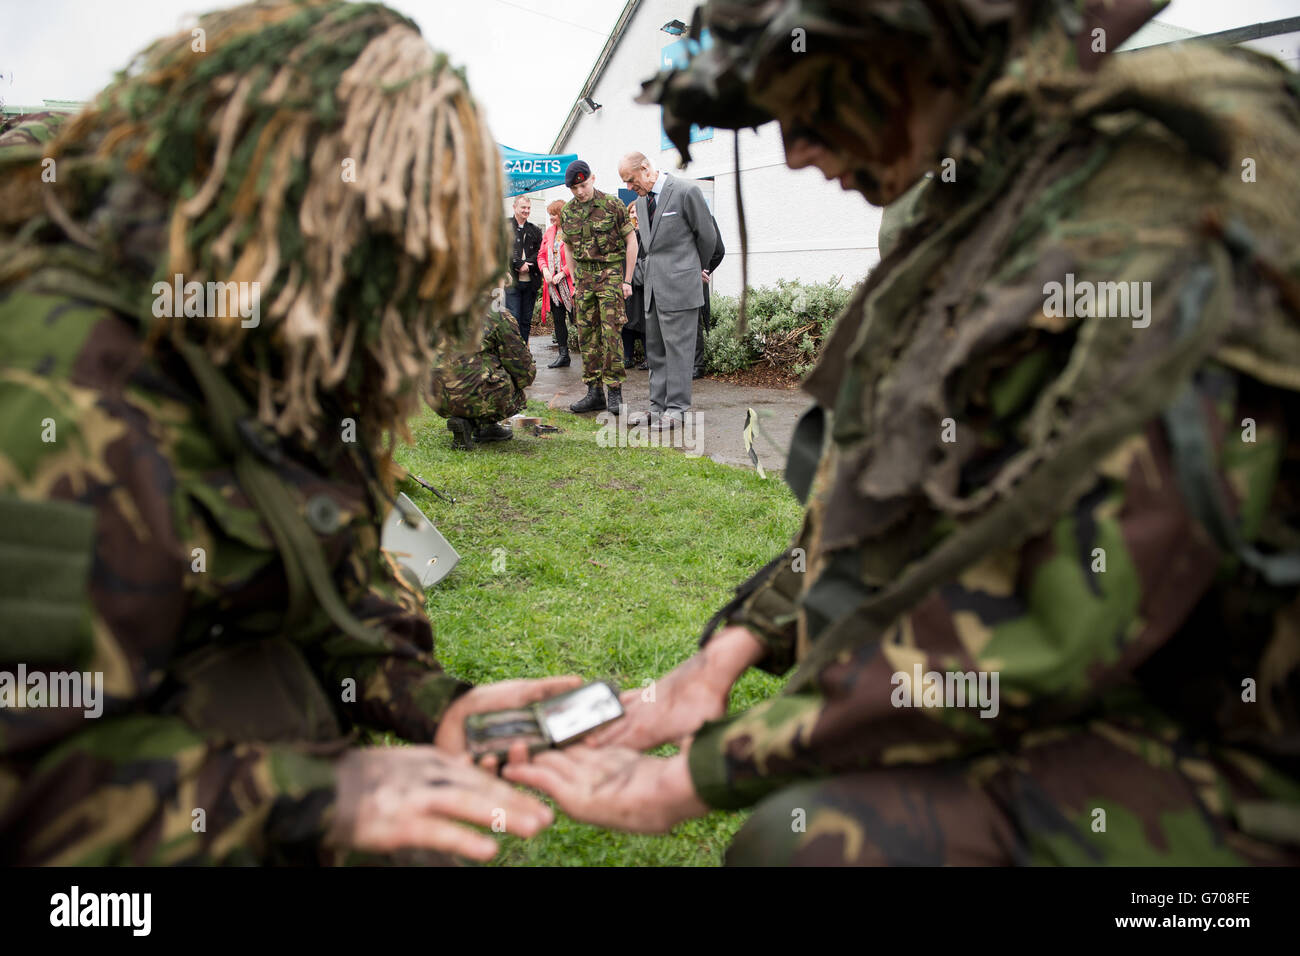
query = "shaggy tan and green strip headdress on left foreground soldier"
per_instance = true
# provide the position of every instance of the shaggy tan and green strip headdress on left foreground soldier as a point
(255, 137)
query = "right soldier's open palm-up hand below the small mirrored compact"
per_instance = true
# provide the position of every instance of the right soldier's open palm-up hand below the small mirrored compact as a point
(614, 788)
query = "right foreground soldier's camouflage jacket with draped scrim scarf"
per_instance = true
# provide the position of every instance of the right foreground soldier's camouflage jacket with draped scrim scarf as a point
(995, 485)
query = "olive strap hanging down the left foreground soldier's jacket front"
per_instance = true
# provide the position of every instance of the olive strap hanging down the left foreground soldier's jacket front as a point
(301, 552)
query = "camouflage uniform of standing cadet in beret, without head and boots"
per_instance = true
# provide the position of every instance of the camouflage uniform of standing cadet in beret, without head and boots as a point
(597, 233)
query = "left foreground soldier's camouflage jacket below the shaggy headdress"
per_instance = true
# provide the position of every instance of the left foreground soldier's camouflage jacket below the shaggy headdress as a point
(132, 555)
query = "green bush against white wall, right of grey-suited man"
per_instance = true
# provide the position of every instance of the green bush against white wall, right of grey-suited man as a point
(787, 326)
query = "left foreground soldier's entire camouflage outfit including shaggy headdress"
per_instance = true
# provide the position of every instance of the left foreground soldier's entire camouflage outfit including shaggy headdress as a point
(190, 505)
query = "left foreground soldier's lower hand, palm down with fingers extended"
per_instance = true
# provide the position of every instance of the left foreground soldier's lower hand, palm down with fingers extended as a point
(398, 798)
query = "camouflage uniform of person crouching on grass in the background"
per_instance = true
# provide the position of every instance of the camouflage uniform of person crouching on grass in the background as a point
(488, 386)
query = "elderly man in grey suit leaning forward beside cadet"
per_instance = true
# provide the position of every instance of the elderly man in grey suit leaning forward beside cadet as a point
(679, 236)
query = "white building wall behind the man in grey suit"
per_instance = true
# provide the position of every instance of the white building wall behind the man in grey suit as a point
(800, 226)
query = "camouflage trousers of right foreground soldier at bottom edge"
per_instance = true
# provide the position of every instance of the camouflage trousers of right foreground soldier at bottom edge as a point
(1085, 798)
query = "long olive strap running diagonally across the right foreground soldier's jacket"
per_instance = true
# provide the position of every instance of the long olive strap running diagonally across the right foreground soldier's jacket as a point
(1009, 522)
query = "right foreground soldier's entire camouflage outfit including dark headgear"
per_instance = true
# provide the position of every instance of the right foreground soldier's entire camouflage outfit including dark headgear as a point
(1102, 511)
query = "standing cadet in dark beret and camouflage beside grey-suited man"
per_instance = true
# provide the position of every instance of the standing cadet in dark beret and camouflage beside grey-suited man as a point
(603, 245)
